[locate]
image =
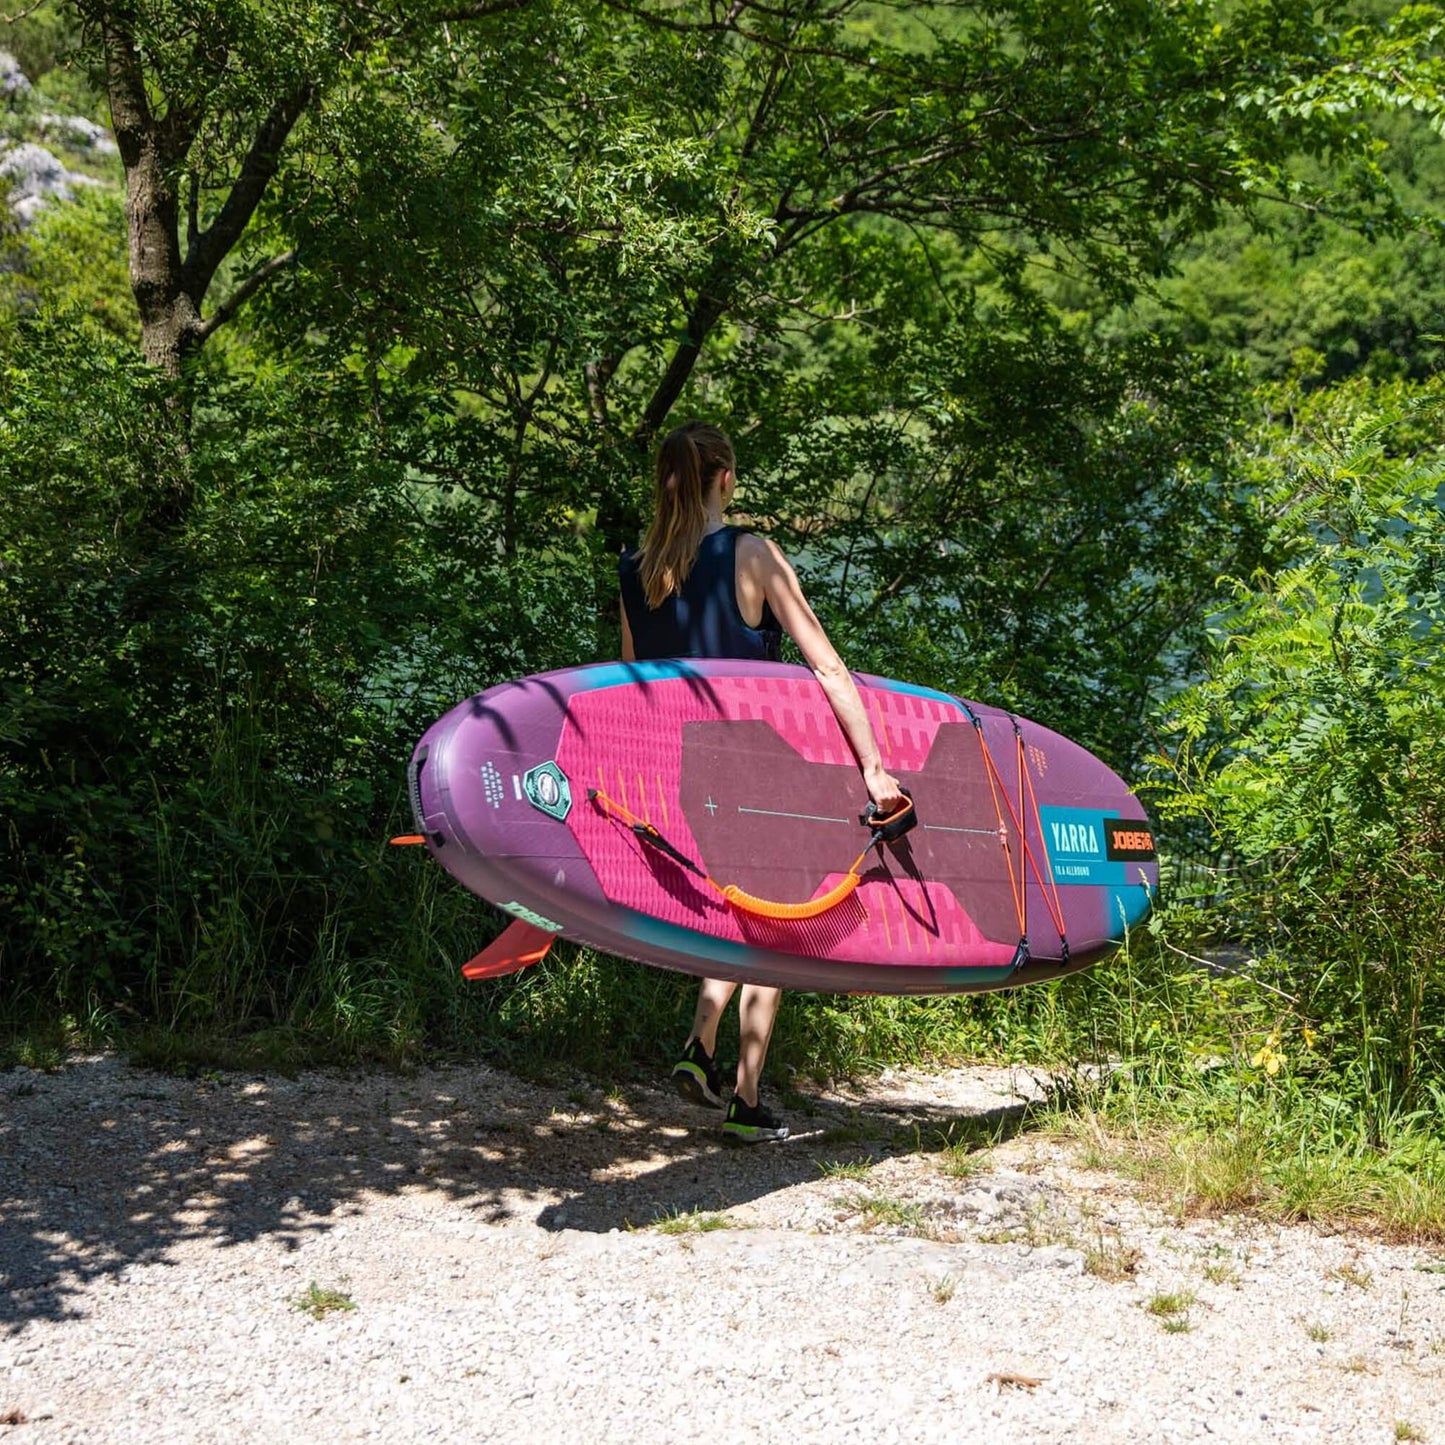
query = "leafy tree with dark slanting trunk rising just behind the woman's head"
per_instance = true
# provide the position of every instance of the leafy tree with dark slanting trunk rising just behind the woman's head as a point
(560, 233)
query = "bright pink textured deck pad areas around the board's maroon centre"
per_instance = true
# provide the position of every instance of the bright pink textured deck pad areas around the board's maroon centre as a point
(628, 742)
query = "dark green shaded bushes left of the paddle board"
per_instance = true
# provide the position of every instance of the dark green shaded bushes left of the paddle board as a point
(199, 725)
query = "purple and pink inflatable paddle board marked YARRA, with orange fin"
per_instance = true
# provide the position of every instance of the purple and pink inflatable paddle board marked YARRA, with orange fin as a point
(706, 817)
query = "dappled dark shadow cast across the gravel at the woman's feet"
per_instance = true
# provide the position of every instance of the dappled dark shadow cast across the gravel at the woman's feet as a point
(103, 1167)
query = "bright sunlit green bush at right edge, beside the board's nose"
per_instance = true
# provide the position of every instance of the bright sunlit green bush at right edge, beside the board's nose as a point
(1314, 752)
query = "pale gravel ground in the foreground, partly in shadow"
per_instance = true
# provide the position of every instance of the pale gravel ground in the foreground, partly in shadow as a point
(551, 1264)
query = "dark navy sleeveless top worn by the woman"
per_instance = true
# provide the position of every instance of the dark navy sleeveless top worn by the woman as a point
(706, 621)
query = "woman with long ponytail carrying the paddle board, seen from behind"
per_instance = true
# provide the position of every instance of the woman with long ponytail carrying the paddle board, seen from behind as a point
(700, 589)
